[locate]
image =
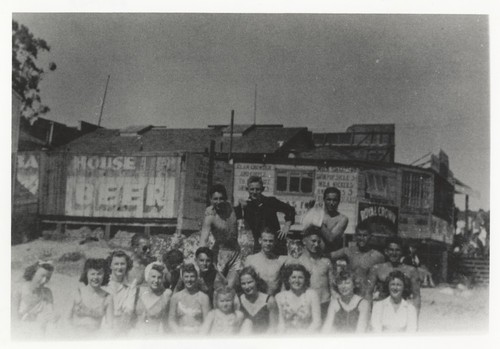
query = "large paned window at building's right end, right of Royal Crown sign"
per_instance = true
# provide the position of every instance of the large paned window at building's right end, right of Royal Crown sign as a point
(416, 190)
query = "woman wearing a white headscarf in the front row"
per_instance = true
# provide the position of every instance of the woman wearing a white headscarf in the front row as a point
(152, 301)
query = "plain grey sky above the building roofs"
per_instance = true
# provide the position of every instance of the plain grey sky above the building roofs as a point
(427, 74)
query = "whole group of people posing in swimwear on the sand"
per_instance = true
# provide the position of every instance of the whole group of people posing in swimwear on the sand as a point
(324, 288)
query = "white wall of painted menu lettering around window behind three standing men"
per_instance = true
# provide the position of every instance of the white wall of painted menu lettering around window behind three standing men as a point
(344, 178)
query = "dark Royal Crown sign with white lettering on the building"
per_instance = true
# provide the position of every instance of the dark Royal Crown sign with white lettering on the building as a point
(382, 218)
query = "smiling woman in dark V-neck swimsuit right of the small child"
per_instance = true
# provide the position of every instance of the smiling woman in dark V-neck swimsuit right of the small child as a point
(257, 306)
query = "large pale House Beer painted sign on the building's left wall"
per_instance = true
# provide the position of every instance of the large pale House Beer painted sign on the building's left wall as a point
(121, 186)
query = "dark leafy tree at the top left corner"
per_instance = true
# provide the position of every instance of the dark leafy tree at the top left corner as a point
(26, 71)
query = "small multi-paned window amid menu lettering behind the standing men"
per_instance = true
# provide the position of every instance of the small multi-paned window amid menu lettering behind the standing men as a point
(294, 182)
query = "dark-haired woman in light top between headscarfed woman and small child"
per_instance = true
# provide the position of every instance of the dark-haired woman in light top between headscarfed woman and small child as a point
(188, 307)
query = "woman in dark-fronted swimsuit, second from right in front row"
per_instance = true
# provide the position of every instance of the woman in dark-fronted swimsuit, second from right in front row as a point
(348, 312)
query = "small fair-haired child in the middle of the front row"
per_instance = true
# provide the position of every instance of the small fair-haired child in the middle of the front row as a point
(224, 318)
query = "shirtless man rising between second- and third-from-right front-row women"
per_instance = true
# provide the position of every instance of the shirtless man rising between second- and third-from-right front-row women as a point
(320, 267)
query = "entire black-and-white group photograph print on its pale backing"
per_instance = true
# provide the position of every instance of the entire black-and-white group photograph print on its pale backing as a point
(260, 174)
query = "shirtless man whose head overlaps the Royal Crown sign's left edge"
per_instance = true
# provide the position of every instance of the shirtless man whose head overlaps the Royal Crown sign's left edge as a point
(360, 257)
